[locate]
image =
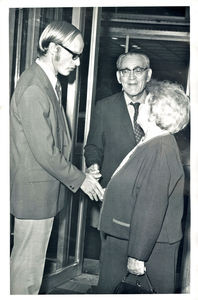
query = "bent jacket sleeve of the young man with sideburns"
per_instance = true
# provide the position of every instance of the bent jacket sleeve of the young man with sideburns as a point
(34, 111)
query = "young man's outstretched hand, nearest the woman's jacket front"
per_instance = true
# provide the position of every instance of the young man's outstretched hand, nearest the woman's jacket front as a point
(92, 188)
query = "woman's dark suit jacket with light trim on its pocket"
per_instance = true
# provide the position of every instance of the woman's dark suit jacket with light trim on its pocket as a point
(143, 202)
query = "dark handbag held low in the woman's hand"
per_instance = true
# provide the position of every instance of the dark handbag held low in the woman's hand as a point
(133, 284)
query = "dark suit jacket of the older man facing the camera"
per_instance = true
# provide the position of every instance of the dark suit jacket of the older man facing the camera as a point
(111, 135)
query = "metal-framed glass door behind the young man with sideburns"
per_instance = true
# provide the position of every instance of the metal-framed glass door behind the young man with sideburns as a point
(65, 251)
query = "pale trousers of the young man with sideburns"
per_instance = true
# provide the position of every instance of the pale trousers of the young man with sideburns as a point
(31, 238)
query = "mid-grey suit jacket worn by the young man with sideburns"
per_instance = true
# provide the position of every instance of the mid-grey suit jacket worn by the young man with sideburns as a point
(40, 148)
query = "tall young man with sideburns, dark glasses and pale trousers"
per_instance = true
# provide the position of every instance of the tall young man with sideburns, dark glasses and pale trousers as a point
(40, 146)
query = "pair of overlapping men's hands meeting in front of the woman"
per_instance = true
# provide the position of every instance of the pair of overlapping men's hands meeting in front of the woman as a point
(90, 185)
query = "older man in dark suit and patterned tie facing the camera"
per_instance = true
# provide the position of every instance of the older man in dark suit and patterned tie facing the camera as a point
(112, 130)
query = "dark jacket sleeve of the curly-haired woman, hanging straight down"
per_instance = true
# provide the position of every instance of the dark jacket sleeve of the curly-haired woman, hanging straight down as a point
(151, 204)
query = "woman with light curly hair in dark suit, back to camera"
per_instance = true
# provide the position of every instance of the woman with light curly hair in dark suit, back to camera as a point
(143, 202)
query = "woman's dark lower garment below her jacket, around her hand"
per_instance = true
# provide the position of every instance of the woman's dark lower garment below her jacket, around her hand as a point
(161, 266)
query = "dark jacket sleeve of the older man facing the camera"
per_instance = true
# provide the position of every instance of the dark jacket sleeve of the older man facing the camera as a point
(95, 143)
